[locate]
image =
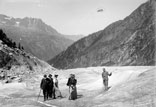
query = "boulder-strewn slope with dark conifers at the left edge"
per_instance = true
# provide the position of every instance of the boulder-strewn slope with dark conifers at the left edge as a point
(15, 62)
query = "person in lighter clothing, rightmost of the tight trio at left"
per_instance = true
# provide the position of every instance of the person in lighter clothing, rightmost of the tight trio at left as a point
(56, 87)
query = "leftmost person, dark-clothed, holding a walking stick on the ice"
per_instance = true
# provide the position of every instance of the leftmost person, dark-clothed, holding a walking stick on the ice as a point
(44, 87)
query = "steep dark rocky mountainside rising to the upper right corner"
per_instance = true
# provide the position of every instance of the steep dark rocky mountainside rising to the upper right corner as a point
(130, 41)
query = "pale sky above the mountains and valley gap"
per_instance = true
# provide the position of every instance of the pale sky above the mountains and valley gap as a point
(72, 17)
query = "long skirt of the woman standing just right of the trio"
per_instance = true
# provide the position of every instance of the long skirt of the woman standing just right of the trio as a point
(72, 93)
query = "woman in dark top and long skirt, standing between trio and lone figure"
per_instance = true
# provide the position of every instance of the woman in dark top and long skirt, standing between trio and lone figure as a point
(72, 87)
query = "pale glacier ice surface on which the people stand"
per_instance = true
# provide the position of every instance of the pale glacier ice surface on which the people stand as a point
(129, 87)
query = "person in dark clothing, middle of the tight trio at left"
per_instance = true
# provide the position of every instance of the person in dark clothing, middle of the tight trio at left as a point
(50, 87)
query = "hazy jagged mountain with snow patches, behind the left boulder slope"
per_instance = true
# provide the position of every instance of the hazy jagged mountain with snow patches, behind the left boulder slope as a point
(35, 36)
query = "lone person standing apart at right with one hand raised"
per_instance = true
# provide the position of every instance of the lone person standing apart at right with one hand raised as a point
(105, 75)
